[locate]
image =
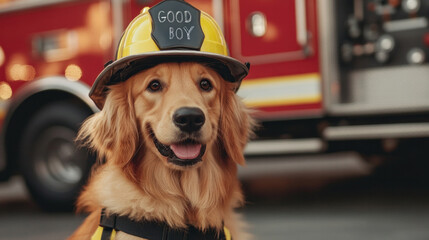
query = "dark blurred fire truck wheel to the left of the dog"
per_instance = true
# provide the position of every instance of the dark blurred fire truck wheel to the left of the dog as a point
(54, 169)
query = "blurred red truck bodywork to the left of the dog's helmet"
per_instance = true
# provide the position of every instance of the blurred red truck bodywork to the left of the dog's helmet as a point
(20, 28)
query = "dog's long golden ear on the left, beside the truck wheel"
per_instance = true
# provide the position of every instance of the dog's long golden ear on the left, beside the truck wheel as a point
(113, 131)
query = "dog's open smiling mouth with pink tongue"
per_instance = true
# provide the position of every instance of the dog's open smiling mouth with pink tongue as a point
(184, 153)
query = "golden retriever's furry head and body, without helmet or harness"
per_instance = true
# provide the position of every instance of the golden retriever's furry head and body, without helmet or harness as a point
(171, 137)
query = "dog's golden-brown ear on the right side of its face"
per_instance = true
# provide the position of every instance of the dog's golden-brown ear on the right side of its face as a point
(235, 126)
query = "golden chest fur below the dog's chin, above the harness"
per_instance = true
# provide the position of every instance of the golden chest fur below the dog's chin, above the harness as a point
(189, 197)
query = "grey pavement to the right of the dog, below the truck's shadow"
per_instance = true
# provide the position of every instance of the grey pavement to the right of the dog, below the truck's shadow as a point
(351, 218)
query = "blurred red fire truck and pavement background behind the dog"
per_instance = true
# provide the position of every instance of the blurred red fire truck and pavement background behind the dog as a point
(340, 88)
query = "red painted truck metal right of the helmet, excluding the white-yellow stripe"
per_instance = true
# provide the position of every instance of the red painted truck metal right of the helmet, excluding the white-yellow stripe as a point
(279, 38)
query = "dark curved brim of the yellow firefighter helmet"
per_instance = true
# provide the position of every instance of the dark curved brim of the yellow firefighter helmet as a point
(120, 70)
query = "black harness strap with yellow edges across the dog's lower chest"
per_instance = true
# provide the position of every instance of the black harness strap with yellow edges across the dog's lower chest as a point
(153, 230)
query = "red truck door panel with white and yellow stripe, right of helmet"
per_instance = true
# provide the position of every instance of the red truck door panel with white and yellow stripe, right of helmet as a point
(279, 39)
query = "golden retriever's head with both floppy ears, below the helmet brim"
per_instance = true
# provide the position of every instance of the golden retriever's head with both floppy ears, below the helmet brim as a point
(178, 112)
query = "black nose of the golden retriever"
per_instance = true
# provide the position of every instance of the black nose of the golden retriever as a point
(189, 119)
